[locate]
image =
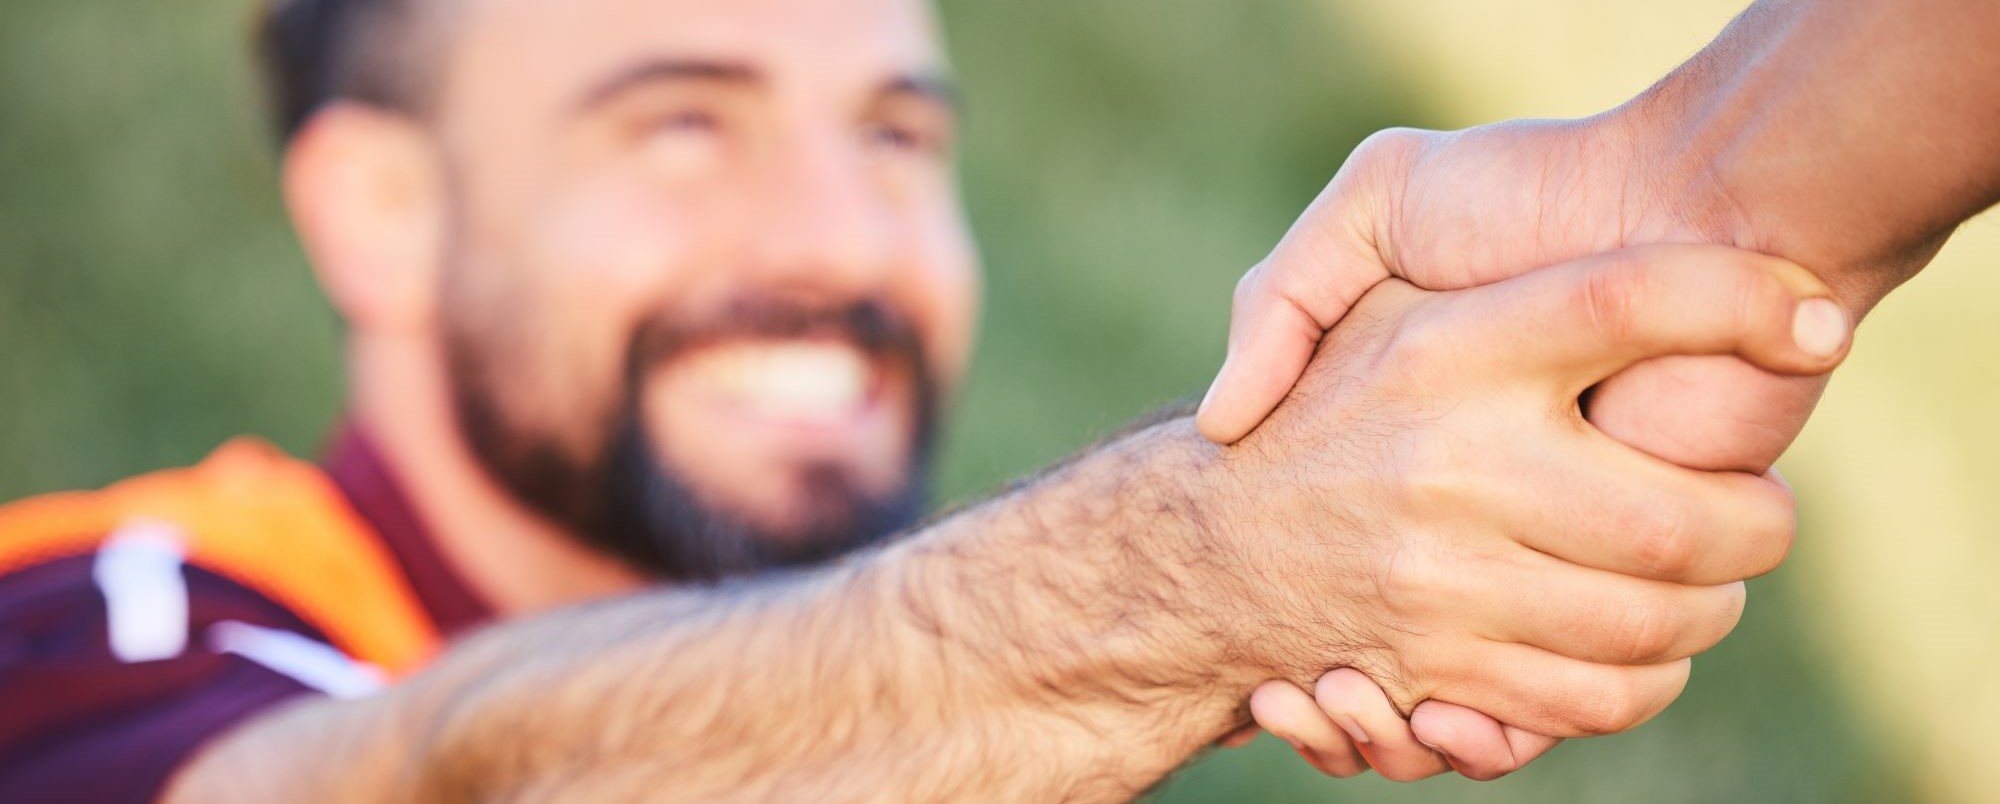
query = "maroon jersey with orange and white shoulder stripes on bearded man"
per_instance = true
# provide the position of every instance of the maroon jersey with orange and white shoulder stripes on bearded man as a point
(143, 621)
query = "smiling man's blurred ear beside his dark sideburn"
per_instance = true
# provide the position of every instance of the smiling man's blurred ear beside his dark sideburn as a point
(367, 195)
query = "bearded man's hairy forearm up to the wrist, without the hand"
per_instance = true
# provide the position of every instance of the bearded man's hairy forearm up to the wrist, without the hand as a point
(1039, 647)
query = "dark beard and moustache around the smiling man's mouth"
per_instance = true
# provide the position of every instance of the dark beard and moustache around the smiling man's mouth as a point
(627, 501)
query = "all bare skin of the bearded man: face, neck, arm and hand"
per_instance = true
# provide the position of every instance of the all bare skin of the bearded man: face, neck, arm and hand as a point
(1077, 637)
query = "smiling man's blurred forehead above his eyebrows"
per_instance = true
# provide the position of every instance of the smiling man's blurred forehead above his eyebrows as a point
(535, 49)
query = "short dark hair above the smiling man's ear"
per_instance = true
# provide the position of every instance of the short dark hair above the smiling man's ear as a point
(321, 51)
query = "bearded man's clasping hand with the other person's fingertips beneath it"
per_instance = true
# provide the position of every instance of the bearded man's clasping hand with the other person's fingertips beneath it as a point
(1431, 511)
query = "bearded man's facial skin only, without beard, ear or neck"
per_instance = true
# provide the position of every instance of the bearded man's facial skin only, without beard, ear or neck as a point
(687, 175)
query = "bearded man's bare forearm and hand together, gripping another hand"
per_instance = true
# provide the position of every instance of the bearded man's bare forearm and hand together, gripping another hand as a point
(1091, 631)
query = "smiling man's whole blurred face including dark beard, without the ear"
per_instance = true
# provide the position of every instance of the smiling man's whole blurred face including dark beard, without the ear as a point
(707, 271)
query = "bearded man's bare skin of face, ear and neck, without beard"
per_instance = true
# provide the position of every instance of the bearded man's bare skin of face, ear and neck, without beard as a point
(789, 153)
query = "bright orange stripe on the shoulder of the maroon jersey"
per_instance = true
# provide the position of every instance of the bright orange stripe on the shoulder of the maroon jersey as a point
(263, 521)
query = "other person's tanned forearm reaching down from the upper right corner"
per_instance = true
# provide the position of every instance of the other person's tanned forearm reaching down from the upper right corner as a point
(1847, 135)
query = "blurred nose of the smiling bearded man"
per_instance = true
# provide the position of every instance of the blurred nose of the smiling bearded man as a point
(831, 223)
